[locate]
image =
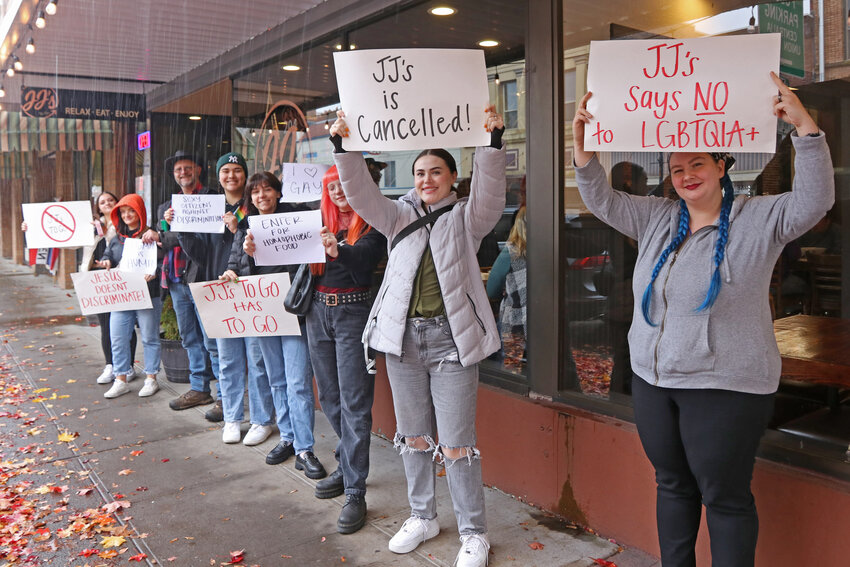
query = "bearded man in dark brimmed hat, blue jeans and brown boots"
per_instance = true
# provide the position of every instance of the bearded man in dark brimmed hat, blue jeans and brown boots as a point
(178, 271)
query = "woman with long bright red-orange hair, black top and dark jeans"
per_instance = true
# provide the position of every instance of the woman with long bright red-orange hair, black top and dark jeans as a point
(335, 323)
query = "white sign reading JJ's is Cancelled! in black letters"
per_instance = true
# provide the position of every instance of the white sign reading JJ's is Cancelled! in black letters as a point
(394, 100)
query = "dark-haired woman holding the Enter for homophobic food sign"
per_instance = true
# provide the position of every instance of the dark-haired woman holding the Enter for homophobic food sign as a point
(287, 360)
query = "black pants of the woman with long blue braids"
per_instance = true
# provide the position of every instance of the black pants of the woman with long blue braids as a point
(702, 444)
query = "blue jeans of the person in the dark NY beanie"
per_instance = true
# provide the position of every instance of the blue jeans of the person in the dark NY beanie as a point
(233, 355)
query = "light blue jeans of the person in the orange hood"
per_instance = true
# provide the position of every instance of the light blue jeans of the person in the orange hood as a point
(121, 326)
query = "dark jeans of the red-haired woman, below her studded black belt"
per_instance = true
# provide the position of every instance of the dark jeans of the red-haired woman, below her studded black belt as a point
(346, 389)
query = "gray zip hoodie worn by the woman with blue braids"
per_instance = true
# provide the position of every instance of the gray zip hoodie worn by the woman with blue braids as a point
(731, 345)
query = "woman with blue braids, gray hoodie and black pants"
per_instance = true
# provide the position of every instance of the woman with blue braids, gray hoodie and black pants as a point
(702, 346)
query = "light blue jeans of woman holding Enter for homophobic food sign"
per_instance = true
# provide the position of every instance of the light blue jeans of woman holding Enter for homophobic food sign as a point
(290, 378)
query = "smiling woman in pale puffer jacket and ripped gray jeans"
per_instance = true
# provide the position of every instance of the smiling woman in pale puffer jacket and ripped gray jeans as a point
(434, 322)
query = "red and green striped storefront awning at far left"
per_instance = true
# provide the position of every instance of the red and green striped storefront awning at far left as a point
(19, 133)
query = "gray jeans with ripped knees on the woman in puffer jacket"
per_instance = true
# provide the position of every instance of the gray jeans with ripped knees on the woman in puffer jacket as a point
(433, 393)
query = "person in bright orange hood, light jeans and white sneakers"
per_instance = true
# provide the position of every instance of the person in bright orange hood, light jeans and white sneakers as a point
(130, 221)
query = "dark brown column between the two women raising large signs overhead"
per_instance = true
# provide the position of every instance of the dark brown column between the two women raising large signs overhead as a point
(545, 181)
